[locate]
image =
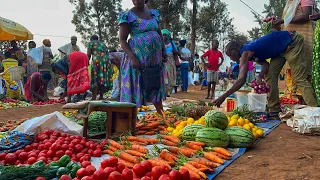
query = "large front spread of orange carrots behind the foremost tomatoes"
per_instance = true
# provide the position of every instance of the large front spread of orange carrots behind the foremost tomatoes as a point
(189, 155)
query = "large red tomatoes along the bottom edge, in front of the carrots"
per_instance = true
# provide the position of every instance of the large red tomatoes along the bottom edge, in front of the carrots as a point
(111, 169)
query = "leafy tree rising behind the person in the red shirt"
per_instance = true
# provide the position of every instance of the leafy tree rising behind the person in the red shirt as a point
(214, 21)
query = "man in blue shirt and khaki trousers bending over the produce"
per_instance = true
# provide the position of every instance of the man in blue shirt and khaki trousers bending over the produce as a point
(280, 46)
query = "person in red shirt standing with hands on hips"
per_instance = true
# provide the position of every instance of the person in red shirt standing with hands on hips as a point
(213, 55)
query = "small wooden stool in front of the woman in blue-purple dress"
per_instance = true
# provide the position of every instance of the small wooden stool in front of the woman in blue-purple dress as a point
(121, 117)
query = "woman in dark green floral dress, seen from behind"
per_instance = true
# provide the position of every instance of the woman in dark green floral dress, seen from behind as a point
(101, 69)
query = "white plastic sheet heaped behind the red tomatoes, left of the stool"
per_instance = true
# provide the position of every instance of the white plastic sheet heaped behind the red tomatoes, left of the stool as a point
(54, 121)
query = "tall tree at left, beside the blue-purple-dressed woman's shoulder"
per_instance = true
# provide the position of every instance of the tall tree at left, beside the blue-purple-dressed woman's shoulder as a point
(97, 17)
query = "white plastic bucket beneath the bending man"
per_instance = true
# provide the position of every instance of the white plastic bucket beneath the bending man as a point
(257, 102)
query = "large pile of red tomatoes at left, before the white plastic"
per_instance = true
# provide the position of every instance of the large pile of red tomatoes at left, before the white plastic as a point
(50, 146)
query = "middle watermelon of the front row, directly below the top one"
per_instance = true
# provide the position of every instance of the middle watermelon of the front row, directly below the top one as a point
(213, 137)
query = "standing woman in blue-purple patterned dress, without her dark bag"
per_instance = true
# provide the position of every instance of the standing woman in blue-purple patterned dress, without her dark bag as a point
(145, 48)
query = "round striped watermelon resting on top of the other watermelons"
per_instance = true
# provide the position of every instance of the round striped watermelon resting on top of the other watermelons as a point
(216, 119)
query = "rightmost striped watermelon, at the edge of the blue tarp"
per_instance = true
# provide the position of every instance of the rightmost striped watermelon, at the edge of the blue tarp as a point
(239, 137)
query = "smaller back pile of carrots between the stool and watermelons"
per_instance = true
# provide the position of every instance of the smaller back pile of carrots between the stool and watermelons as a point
(154, 123)
